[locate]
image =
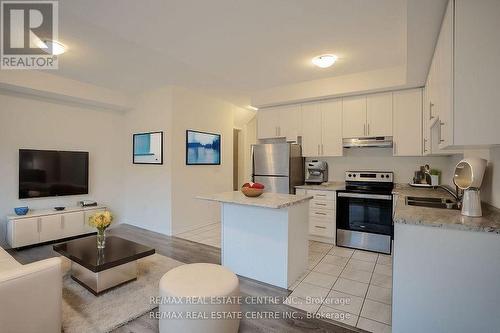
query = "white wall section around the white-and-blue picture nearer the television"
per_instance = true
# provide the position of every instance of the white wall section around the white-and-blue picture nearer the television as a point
(147, 193)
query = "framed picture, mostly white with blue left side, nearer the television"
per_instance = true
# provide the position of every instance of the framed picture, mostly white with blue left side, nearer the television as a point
(148, 148)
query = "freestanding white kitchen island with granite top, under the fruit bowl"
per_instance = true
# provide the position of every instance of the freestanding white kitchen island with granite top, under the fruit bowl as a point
(264, 238)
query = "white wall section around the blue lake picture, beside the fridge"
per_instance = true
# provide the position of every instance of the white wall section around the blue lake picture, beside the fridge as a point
(192, 110)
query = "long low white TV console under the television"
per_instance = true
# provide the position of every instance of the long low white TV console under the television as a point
(41, 226)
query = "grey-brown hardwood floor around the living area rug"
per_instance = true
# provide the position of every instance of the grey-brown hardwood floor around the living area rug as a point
(191, 252)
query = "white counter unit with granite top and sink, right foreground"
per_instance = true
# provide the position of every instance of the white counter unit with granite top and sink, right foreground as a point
(446, 268)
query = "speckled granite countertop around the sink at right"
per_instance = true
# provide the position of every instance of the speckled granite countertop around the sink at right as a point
(441, 218)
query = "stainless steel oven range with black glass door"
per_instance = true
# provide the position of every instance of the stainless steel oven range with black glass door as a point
(364, 211)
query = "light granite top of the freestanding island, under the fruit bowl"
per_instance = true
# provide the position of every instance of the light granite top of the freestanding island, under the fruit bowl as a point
(266, 200)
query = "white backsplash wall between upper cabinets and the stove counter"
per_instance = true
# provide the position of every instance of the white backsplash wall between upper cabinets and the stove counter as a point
(382, 159)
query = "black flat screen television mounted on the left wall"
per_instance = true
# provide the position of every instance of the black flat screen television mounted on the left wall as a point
(48, 173)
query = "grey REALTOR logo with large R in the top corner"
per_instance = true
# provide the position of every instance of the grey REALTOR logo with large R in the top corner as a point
(26, 28)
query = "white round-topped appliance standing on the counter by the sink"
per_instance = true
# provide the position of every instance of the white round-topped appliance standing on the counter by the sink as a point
(468, 177)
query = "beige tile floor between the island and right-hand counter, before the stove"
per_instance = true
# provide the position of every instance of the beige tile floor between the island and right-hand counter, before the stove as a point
(349, 286)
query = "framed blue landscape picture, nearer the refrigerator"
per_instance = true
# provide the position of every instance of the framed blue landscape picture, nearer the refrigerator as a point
(202, 148)
